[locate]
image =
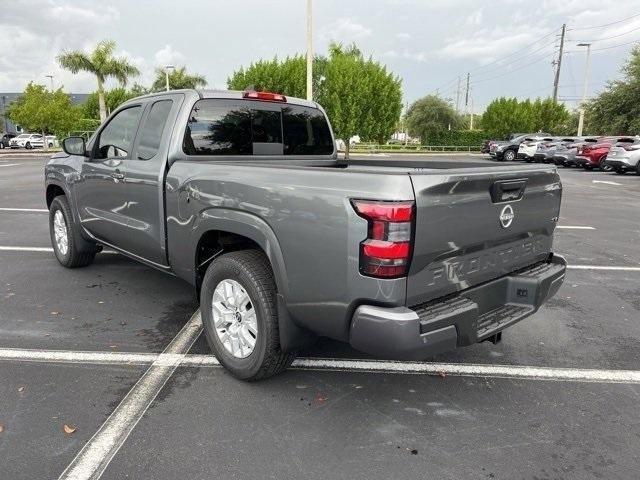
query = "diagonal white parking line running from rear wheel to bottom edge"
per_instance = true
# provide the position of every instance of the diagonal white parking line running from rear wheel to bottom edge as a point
(105, 443)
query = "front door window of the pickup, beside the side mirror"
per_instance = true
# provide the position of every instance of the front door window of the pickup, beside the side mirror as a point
(116, 138)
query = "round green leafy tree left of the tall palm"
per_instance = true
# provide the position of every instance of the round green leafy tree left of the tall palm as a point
(43, 111)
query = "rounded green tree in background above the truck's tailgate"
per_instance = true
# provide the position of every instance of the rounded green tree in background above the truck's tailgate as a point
(431, 115)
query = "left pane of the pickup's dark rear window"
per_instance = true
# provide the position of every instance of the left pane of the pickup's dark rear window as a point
(218, 127)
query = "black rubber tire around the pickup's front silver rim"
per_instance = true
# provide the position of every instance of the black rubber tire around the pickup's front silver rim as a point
(80, 252)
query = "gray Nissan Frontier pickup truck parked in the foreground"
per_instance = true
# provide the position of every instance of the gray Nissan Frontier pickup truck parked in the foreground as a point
(242, 195)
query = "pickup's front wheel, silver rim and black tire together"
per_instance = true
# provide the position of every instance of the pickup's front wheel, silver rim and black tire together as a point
(70, 248)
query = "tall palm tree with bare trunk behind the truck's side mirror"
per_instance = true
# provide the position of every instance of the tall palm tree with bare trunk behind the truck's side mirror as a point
(102, 64)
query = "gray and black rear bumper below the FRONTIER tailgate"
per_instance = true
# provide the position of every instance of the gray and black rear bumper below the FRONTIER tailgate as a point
(466, 318)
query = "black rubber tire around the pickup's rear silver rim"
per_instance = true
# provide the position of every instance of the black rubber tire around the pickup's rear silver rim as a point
(251, 269)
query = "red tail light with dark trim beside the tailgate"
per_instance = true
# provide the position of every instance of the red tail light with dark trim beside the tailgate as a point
(386, 252)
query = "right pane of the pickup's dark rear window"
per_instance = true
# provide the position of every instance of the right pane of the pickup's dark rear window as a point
(306, 131)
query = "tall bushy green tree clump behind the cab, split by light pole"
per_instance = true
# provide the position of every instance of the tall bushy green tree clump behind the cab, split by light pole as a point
(360, 96)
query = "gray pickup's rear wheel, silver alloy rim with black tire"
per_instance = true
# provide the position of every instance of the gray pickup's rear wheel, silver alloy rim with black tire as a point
(240, 316)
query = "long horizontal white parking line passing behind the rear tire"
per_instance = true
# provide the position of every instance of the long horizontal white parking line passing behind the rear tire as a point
(333, 364)
